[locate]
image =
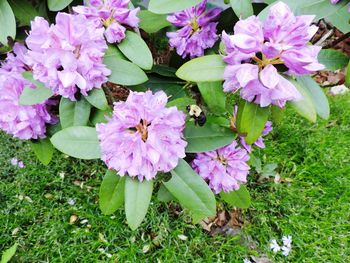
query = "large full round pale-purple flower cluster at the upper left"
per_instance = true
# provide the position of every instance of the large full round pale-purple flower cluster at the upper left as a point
(68, 55)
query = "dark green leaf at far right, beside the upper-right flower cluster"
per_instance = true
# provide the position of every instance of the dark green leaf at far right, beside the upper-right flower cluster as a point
(333, 59)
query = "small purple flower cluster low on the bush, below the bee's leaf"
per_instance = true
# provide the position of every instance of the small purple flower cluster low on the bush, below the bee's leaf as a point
(225, 169)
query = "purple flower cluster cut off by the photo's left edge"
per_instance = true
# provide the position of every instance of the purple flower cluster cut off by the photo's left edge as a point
(23, 122)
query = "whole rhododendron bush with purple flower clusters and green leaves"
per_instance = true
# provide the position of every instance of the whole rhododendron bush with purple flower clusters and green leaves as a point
(95, 80)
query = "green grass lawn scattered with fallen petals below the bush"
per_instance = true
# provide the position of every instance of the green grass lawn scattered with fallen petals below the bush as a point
(314, 208)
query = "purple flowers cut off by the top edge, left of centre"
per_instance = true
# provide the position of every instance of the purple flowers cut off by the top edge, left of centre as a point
(113, 15)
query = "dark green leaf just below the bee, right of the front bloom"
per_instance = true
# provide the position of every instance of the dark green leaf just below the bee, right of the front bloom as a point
(207, 138)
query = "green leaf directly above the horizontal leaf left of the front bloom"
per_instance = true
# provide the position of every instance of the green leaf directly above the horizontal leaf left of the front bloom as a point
(74, 113)
